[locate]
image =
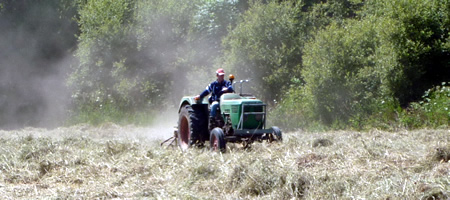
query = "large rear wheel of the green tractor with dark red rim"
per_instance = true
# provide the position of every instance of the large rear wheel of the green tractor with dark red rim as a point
(189, 128)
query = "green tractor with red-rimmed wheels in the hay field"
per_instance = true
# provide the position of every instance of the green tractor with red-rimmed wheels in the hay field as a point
(241, 119)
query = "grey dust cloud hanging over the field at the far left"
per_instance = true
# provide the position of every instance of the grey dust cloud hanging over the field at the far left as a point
(36, 45)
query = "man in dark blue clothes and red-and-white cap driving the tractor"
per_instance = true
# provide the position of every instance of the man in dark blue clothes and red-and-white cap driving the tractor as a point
(216, 89)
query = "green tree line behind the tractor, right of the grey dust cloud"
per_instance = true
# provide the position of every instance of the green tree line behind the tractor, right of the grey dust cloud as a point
(332, 63)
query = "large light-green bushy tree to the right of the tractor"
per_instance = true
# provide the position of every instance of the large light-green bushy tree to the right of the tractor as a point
(361, 67)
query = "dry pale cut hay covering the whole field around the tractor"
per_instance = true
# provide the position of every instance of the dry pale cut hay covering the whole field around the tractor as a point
(83, 162)
